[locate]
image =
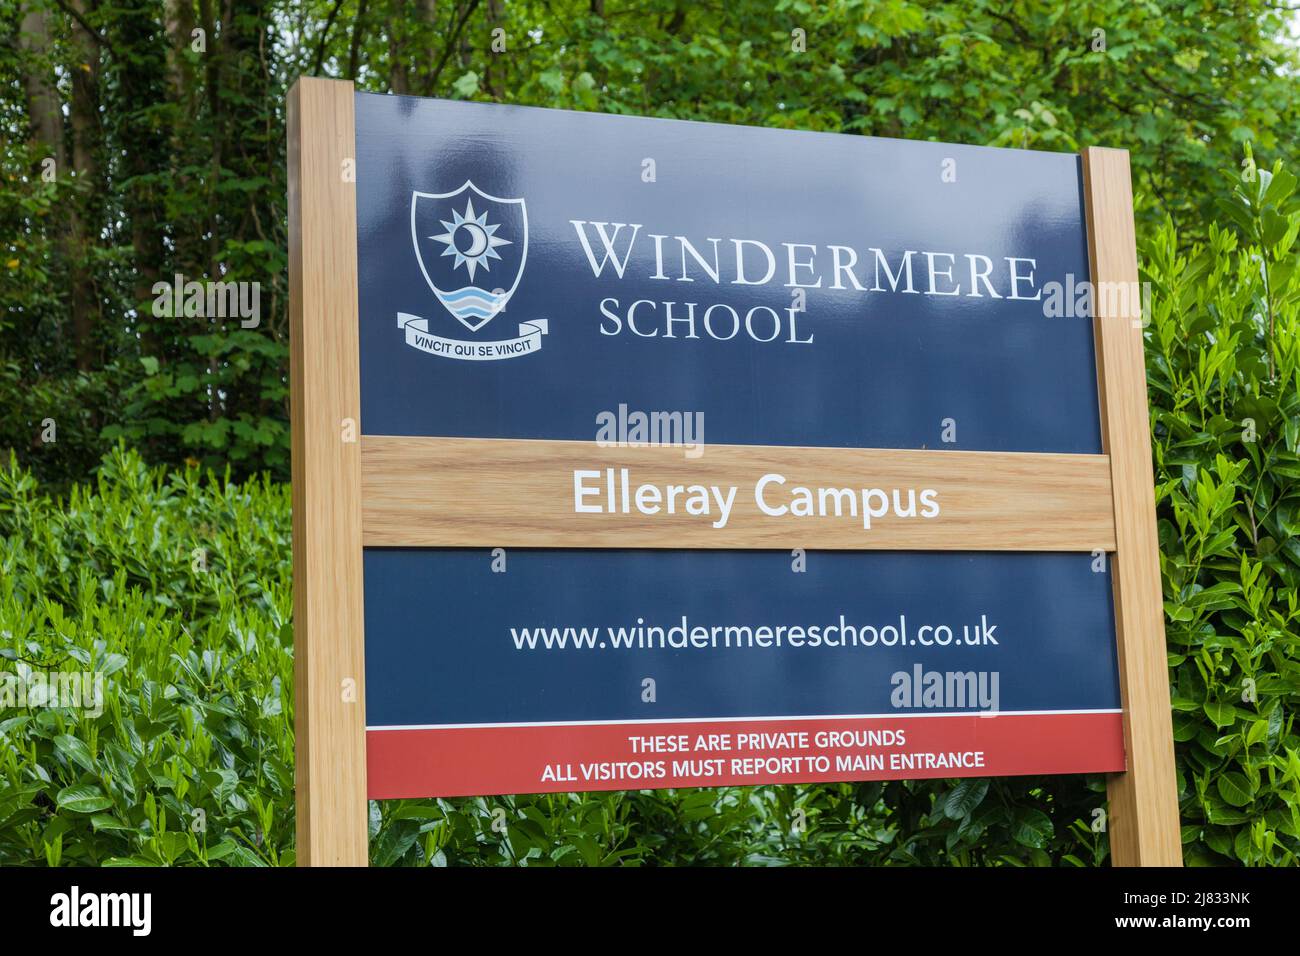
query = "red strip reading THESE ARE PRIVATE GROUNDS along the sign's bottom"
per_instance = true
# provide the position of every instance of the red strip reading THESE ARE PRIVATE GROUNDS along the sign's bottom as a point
(548, 759)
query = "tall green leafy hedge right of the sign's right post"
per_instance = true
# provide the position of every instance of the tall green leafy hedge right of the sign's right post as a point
(1224, 357)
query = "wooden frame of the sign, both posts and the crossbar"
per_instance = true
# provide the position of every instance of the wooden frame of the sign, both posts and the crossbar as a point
(375, 491)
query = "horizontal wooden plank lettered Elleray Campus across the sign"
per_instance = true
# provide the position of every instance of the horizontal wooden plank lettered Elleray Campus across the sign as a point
(479, 492)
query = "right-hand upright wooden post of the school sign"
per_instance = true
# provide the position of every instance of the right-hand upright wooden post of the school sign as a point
(1143, 820)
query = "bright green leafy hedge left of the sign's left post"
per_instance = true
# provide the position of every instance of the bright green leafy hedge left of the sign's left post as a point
(190, 759)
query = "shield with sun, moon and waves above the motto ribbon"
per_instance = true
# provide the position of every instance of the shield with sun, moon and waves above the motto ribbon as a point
(471, 248)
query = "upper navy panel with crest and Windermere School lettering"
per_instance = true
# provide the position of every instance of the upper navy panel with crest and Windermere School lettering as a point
(666, 258)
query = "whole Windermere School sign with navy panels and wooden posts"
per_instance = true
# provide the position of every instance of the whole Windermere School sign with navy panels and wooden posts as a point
(668, 455)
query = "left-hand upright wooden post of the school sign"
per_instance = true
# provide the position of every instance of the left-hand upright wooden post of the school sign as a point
(327, 479)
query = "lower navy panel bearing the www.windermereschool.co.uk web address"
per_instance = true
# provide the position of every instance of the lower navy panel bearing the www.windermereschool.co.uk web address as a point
(561, 635)
